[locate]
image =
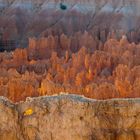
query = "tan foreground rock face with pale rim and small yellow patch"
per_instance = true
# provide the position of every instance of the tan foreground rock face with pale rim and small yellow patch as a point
(70, 117)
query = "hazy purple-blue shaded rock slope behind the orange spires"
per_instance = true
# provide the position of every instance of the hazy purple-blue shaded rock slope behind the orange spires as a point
(29, 18)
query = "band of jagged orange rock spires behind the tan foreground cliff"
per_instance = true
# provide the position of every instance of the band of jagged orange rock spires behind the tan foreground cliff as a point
(76, 64)
